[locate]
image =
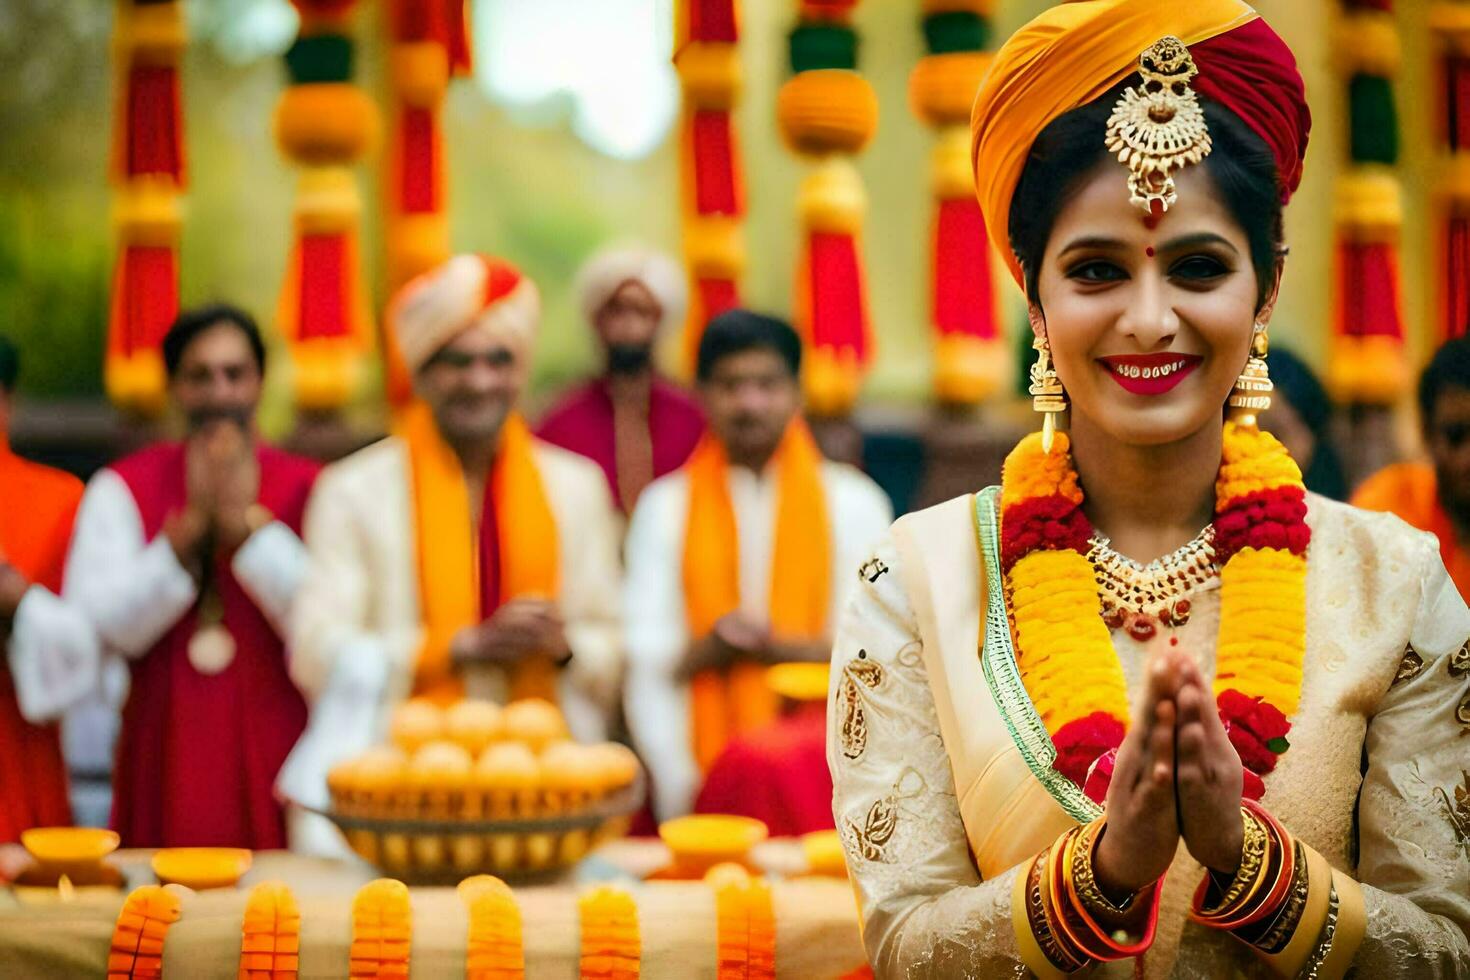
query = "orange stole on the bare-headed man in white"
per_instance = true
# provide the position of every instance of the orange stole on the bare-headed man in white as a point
(739, 700)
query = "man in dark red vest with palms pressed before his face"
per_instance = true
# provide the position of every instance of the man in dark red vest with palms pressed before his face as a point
(186, 561)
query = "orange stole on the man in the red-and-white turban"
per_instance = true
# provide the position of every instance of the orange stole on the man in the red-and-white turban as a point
(449, 549)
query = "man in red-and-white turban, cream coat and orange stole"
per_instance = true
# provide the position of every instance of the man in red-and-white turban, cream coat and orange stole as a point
(461, 555)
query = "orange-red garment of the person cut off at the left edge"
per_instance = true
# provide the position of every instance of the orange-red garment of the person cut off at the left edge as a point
(37, 506)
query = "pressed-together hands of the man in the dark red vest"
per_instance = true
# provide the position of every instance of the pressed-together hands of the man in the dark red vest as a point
(223, 480)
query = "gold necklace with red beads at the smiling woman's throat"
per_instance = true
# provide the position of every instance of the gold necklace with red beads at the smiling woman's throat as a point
(1156, 590)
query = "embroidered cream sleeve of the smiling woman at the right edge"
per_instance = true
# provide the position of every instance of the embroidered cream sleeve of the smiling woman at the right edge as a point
(1415, 810)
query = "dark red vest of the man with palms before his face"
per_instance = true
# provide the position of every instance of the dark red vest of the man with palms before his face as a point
(198, 754)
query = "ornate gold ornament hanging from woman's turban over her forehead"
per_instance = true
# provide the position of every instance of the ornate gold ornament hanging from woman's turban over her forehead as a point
(1159, 127)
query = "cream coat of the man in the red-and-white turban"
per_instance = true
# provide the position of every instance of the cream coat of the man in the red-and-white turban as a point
(359, 625)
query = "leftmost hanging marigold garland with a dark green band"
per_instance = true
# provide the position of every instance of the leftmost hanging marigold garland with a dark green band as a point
(326, 124)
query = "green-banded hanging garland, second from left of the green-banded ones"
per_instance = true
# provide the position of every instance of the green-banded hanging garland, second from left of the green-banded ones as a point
(828, 112)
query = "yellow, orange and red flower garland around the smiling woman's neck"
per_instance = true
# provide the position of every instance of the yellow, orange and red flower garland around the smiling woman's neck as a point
(1065, 652)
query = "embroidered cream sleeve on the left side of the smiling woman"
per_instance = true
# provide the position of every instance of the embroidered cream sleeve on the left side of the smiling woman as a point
(924, 907)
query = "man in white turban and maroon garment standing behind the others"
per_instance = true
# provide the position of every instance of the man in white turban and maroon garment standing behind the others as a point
(630, 421)
